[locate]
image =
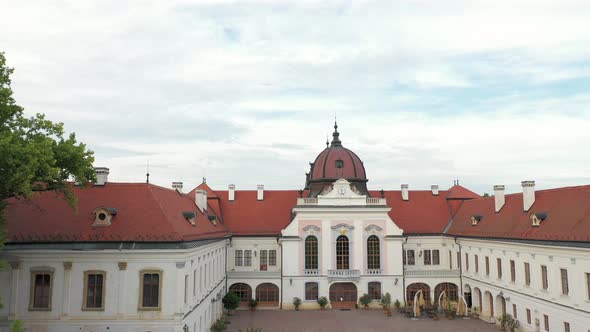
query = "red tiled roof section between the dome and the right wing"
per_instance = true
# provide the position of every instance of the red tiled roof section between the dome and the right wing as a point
(423, 213)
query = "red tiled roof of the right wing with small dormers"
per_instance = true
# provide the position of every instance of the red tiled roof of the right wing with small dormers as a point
(567, 209)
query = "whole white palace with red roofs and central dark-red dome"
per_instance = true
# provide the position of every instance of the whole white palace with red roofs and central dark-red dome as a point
(140, 257)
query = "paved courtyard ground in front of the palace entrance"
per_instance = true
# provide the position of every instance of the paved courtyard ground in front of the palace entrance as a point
(344, 321)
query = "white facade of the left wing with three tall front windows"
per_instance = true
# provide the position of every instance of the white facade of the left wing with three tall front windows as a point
(192, 282)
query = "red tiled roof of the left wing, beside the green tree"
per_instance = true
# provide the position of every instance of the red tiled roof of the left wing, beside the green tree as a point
(145, 213)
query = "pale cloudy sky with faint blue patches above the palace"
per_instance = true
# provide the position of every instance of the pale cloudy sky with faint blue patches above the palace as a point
(245, 92)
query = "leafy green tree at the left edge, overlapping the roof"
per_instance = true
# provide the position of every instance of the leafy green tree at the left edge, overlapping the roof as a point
(35, 153)
